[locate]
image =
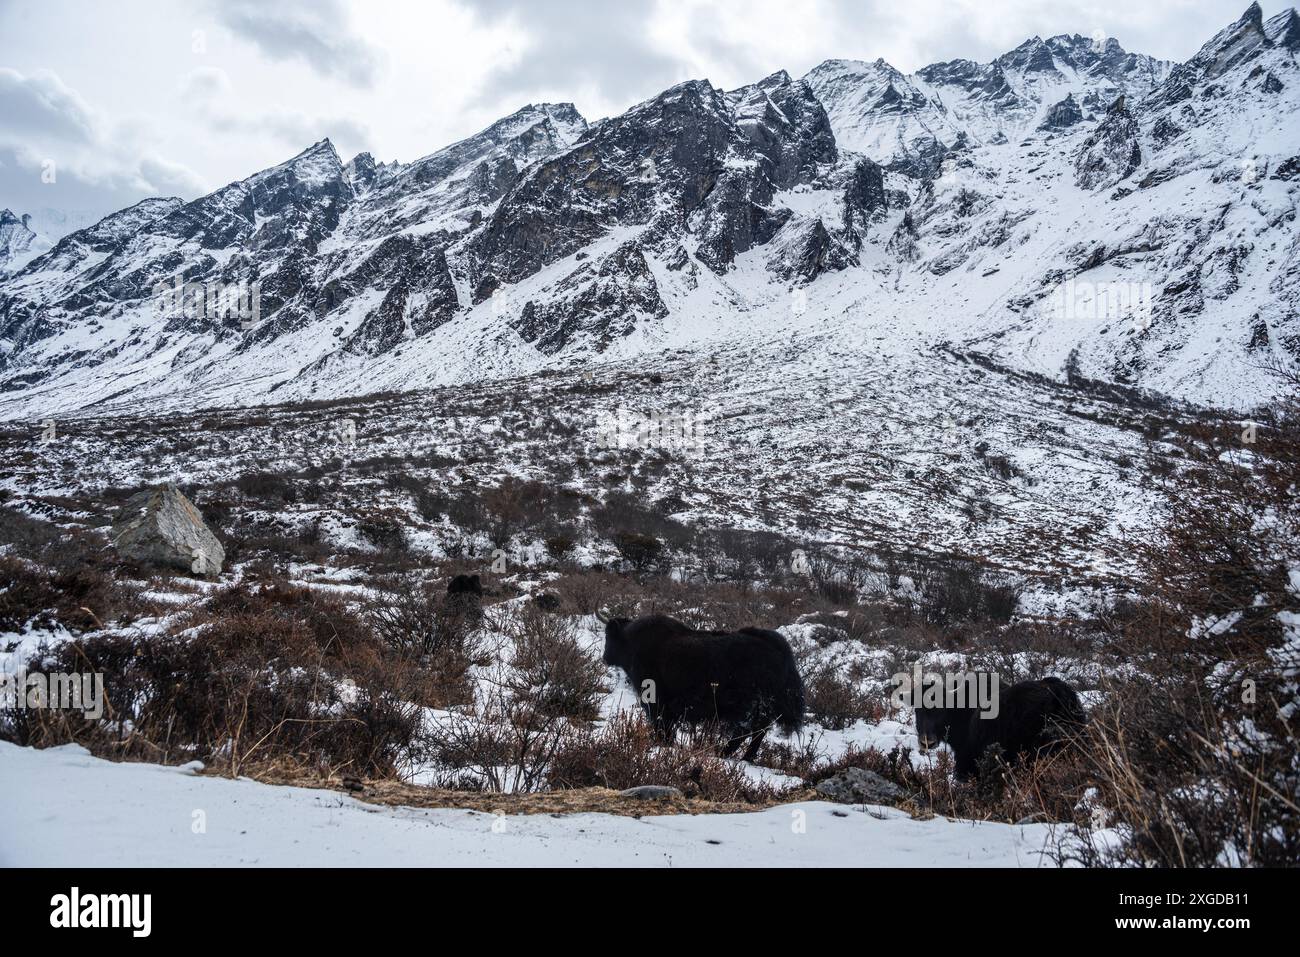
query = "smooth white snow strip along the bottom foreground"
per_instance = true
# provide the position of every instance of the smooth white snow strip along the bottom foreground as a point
(66, 808)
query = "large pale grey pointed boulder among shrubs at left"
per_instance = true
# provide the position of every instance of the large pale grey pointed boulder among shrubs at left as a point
(163, 527)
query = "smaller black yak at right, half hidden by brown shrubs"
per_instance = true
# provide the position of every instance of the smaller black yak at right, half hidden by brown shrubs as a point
(1033, 718)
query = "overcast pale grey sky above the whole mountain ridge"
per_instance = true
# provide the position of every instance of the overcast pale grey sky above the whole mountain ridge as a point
(115, 102)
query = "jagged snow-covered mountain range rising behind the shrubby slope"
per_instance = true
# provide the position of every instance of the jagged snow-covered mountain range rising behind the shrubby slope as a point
(1071, 210)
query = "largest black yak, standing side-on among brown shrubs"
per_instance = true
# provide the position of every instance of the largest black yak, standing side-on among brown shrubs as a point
(743, 682)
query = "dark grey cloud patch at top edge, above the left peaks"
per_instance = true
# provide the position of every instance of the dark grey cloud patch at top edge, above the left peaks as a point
(314, 32)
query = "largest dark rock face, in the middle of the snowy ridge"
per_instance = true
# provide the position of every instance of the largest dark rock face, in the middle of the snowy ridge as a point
(691, 158)
